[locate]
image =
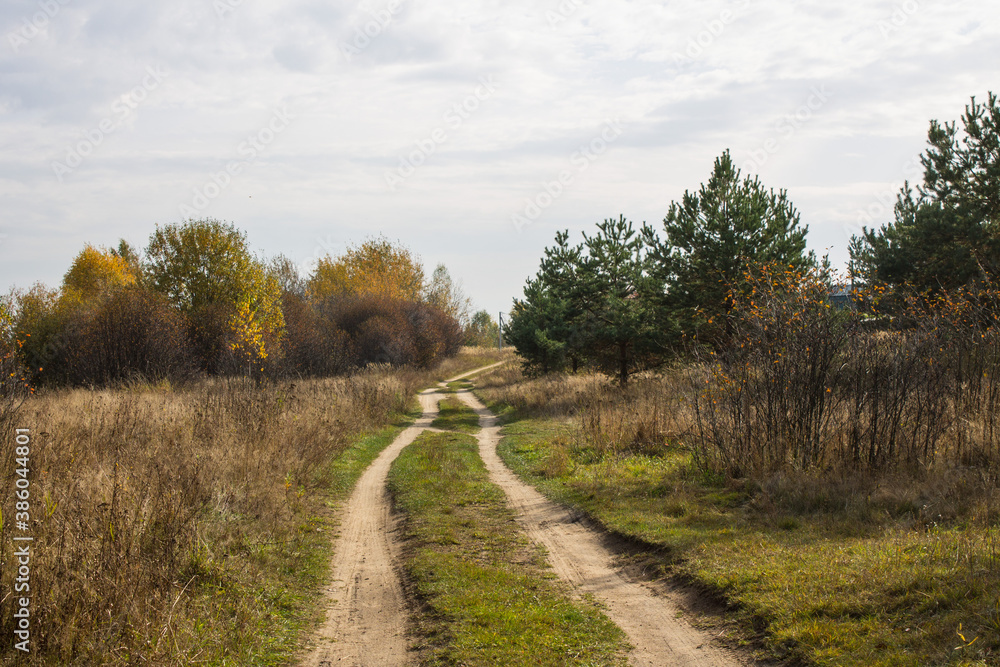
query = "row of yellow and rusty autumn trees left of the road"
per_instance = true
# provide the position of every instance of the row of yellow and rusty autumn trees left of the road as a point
(197, 302)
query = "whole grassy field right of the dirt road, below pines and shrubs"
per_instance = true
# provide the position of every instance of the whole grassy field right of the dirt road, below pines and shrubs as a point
(816, 567)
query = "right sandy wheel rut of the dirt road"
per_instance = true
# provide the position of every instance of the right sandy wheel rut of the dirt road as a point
(578, 555)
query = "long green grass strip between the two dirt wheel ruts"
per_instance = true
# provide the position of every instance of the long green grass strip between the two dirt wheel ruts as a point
(488, 599)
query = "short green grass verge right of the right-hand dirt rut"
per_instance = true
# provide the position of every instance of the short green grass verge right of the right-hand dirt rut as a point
(826, 587)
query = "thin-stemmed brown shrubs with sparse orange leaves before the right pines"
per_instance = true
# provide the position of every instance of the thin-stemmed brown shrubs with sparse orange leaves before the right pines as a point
(809, 386)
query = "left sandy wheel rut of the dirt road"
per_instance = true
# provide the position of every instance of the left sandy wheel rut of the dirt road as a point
(367, 617)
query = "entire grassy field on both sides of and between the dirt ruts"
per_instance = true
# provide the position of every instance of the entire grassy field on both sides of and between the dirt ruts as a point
(194, 524)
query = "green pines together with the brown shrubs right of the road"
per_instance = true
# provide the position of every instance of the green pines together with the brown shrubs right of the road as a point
(906, 374)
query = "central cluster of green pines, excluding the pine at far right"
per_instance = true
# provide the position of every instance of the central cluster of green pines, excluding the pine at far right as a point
(623, 298)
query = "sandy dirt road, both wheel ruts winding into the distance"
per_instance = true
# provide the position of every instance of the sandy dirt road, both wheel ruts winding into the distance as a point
(367, 613)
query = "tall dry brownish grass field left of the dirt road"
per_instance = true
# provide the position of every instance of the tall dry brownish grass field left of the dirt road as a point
(186, 525)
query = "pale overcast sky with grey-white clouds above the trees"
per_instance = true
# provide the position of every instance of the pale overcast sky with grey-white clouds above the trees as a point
(471, 131)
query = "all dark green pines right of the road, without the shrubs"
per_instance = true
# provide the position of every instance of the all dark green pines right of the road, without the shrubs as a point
(628, 298)
